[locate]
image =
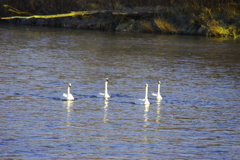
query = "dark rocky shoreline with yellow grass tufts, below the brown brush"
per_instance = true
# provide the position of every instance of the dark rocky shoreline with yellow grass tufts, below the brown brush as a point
(160, 20)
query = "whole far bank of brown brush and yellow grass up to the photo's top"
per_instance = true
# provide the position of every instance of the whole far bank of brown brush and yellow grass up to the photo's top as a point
(218, 18)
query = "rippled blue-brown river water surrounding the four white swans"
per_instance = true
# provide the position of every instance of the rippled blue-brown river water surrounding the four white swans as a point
(198, 117)
